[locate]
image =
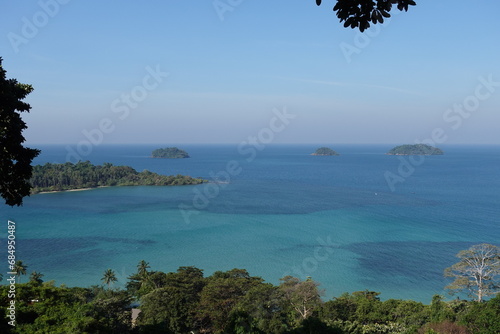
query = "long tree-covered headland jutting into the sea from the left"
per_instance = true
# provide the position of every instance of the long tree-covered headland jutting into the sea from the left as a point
(84, 175)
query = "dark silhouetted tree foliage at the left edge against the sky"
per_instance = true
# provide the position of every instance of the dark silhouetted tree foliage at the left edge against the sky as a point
(15, 160)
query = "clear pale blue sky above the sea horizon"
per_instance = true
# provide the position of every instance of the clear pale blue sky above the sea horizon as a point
(224, 71)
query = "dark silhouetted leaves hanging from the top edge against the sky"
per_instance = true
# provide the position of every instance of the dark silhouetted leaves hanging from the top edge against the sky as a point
(359, 13)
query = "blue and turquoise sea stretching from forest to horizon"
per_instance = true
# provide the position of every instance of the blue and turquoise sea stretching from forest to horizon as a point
(362, 220)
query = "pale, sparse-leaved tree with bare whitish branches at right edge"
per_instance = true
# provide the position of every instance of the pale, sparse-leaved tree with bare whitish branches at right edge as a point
(477, 271)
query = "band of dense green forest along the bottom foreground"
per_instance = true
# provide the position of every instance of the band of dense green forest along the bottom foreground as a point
(233, 301)
